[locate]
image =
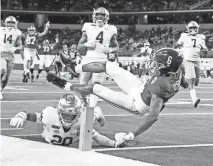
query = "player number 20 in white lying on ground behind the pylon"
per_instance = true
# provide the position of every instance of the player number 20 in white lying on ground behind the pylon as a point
(61, 125)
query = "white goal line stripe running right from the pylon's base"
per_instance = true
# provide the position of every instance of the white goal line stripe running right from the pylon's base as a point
(153, 147)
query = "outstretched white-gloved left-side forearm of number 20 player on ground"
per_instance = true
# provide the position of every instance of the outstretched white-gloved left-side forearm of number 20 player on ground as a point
(21, 117)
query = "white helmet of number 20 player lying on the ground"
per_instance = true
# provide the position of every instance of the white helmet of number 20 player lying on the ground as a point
(69, 109)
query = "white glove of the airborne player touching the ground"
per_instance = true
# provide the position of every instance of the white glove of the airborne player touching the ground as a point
(124, 139)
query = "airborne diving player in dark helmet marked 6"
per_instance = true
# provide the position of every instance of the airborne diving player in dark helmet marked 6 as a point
(137, 98)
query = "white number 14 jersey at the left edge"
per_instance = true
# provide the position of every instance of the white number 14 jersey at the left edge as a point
(8, 38)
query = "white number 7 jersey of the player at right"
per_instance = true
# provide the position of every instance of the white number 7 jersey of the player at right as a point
(192, 45)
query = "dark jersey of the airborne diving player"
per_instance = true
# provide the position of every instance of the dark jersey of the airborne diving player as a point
(162, 86)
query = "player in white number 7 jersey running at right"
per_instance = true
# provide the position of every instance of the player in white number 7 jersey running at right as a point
(192, 44)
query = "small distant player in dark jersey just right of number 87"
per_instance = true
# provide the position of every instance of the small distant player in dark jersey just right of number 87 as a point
(45, 60)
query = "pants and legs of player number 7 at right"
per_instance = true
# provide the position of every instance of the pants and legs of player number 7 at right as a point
(192, 73)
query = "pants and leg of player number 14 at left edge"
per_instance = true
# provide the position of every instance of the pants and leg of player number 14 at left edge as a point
(6, 69)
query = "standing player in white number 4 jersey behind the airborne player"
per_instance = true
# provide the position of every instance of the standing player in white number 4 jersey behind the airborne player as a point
(99, 39)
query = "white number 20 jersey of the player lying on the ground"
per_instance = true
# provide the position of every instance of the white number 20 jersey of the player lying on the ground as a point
(54, 132)
